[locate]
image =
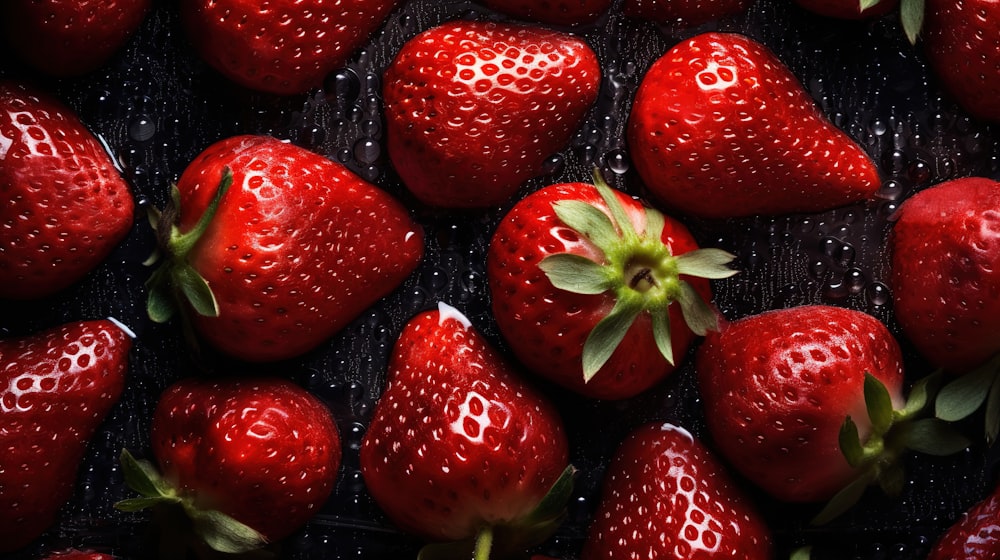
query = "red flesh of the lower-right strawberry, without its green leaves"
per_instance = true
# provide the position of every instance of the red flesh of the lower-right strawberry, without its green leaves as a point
(778, 386)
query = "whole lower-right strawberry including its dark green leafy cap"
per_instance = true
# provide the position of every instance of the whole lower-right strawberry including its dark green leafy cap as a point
(807, 403)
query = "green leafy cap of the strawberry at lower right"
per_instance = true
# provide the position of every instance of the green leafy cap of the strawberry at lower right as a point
(893, 432)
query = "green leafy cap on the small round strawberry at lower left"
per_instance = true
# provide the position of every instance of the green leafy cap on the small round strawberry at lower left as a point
(219, 531)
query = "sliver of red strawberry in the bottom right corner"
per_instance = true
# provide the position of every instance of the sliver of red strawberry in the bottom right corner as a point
(974, 536)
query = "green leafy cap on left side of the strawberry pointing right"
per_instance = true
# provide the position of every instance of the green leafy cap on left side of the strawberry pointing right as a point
(175, 279)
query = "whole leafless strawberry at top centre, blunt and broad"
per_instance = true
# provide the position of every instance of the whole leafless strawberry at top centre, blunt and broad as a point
(474, 109)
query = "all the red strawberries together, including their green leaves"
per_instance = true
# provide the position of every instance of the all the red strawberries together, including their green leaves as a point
(267, 250)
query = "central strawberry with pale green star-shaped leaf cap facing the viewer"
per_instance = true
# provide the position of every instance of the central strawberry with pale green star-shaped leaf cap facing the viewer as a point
(583, 281)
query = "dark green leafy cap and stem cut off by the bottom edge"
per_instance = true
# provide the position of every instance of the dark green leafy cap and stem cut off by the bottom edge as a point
(513, 539)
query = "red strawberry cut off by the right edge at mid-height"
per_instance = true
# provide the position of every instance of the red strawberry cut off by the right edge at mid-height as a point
(945, 271)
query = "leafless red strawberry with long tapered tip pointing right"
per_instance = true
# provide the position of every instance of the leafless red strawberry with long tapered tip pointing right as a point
(721, 128)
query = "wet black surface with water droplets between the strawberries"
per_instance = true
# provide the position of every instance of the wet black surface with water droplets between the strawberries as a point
(157, 105)
